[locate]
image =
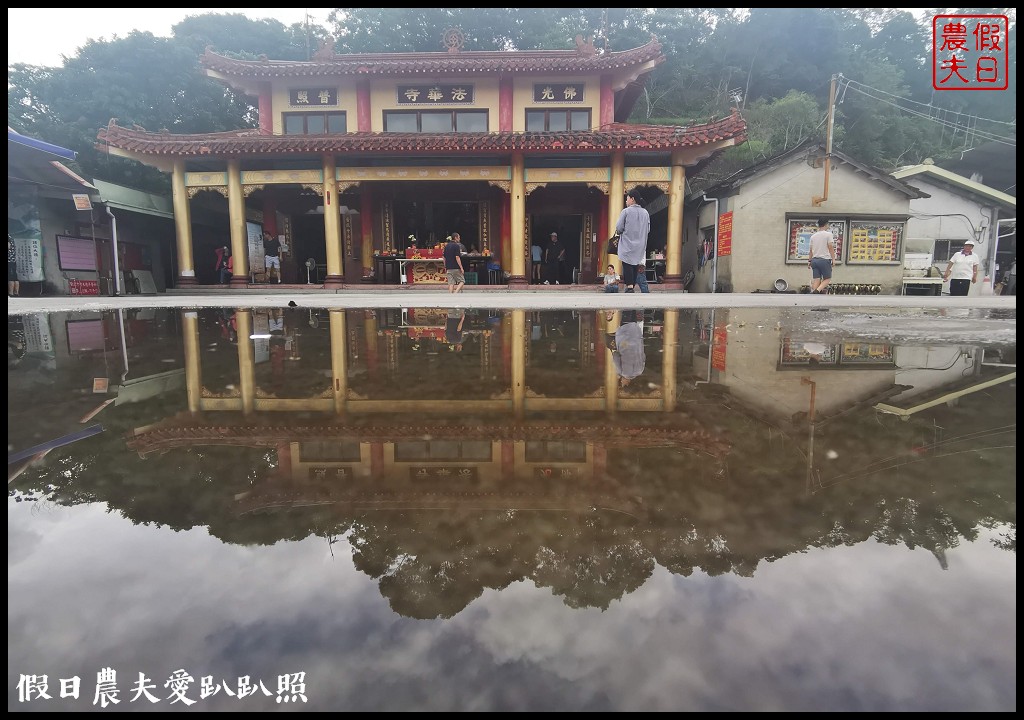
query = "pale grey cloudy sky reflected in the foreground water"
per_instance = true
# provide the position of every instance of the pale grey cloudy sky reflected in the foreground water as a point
(802, 634)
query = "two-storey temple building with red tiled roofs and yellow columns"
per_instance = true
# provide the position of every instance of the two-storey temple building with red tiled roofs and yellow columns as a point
(364, 164)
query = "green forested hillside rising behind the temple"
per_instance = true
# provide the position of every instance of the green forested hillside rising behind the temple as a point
(777, 66)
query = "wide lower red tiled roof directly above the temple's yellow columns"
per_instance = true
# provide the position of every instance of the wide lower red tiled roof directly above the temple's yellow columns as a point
(616, 137)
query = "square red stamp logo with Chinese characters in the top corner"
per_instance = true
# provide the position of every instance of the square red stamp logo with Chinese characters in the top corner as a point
(970, 53)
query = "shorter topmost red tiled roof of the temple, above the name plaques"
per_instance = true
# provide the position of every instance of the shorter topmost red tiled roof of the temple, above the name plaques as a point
(411, 65)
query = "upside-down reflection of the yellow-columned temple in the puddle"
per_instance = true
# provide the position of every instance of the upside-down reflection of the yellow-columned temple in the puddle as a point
(385, 395)
